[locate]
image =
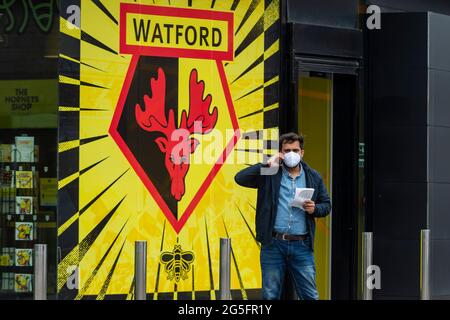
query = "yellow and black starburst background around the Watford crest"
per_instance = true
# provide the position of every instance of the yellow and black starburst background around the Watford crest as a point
(114, 207)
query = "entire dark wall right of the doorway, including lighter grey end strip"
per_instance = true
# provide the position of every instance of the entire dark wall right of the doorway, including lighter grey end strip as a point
(410, 156)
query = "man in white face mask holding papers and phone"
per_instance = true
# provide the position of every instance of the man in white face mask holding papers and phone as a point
(286, 232)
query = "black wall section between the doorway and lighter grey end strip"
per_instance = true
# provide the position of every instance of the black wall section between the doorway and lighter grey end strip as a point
(398, 89)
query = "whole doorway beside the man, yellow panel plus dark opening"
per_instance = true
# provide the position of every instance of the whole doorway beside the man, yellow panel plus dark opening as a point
(329, 115)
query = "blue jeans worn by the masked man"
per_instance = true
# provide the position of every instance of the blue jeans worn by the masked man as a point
(298, 259)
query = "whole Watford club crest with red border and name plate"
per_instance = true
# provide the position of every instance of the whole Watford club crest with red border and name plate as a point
(174, 95)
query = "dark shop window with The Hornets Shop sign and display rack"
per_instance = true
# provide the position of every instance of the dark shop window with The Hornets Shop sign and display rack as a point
(28, 142)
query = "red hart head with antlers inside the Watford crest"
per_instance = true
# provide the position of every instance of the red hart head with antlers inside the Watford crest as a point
(176, 143)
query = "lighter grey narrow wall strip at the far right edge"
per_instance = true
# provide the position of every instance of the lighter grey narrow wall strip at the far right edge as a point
(439, 153)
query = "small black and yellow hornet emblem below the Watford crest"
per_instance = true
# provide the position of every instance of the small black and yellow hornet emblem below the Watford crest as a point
(177, 263)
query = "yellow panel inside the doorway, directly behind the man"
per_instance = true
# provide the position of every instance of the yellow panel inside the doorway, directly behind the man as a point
(315, 122)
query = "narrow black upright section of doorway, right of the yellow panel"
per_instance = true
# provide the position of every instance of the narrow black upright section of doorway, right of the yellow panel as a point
(344, 270)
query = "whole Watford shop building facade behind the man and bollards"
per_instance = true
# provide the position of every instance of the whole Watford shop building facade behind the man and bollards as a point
(93, 93)
